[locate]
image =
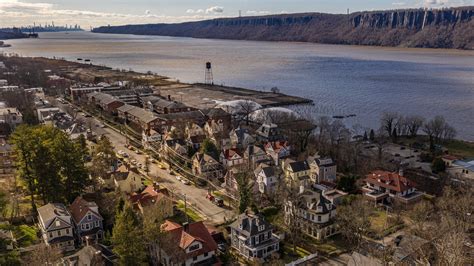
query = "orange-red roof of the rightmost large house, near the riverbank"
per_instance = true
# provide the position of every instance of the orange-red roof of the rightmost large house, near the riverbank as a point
(389, 180)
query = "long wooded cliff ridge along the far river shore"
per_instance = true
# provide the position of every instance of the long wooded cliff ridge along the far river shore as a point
(446, 28)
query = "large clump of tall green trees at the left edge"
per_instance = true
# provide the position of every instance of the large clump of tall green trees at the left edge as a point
(51, 165)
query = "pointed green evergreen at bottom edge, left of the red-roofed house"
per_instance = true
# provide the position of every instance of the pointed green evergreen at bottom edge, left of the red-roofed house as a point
(127, 238)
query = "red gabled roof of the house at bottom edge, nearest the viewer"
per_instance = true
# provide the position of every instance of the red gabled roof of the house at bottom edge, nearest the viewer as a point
(195, 232)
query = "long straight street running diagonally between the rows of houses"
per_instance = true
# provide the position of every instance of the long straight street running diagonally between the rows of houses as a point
(196, 197)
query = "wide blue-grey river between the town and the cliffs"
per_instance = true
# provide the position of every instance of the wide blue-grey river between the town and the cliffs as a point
(341, 80)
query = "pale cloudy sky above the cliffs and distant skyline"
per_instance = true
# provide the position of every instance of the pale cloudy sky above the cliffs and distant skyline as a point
(116, 12)
